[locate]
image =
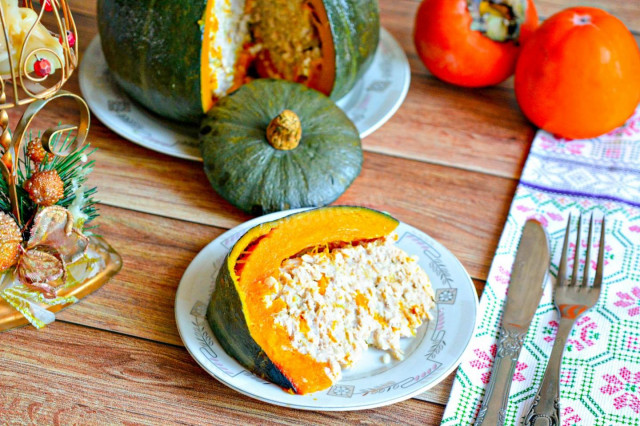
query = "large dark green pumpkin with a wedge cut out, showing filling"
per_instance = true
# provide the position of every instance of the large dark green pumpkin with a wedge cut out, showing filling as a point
(178, 57)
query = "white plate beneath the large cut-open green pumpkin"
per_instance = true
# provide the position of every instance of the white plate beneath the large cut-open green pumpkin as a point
(372, 101)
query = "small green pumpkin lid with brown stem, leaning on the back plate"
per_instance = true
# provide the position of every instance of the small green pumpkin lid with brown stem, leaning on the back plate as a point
(274, 145)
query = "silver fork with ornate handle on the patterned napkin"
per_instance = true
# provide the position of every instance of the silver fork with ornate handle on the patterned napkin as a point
(571, 299)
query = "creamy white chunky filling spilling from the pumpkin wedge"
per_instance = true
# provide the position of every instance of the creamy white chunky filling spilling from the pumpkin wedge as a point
(341, 299)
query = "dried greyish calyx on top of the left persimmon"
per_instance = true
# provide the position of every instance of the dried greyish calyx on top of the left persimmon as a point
(500, 20)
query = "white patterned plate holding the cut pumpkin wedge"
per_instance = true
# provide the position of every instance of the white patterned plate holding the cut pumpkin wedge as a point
(429, 357)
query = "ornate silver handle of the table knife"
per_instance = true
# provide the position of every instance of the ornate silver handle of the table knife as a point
(494, 405)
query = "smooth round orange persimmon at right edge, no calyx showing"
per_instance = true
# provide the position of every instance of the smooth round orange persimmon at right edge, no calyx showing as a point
(579, 74)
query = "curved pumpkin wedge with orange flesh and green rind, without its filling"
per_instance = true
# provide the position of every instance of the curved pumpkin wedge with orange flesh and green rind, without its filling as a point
(244, 326)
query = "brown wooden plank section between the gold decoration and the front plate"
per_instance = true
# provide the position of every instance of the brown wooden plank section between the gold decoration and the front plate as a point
(139, 301)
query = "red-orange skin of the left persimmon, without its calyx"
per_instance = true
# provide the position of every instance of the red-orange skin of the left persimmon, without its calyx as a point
(456, 53)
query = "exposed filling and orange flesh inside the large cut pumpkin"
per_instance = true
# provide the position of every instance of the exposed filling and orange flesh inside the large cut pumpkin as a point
(245, 39)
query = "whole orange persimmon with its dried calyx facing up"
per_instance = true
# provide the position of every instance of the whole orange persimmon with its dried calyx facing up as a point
(473, 43)
